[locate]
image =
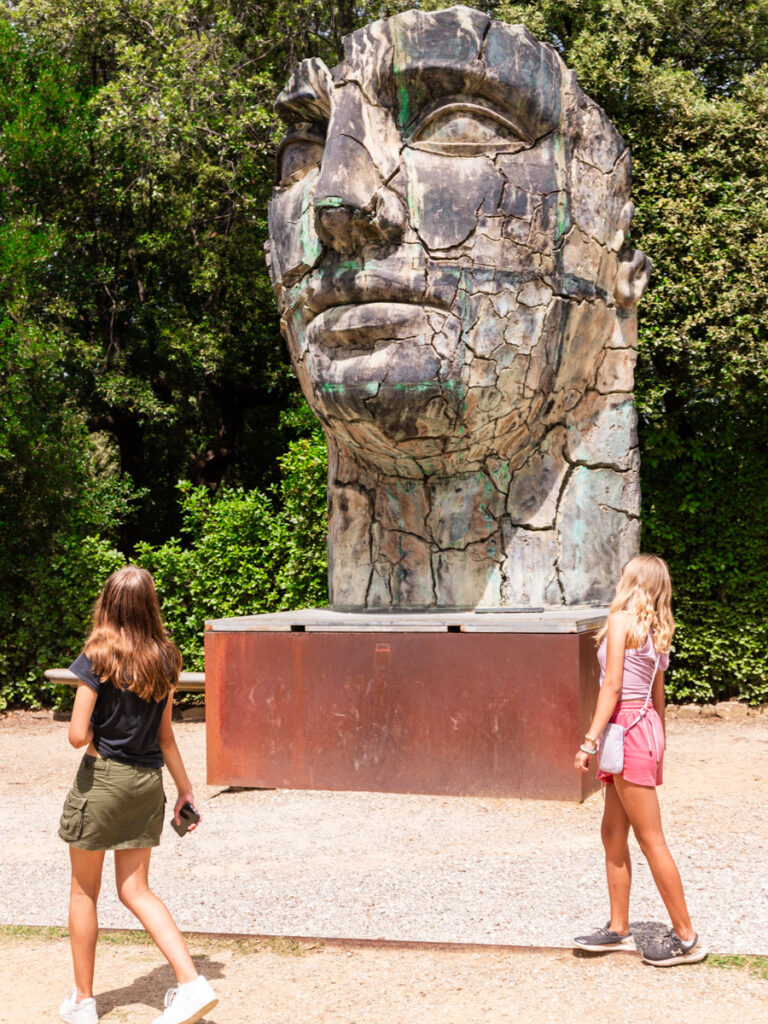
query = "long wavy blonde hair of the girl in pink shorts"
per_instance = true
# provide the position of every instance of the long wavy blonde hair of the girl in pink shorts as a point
(645, 592)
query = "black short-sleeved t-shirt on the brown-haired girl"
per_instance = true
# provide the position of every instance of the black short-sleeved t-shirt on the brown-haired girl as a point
(125, 728)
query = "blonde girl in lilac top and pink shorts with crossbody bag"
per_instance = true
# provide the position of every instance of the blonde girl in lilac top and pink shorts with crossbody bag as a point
(633, 655)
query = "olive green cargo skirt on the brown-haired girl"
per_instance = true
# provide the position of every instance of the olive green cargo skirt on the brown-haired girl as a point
(113, 806)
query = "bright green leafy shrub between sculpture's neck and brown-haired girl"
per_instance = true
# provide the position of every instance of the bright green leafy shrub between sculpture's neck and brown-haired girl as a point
(244, 552)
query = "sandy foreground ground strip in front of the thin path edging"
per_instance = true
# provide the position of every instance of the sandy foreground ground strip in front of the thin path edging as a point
(272, 984)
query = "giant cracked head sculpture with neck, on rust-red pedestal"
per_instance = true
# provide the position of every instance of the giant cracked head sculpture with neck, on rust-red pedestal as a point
(449, 251)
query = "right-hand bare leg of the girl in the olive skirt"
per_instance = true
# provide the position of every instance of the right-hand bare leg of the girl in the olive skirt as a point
(132, 876)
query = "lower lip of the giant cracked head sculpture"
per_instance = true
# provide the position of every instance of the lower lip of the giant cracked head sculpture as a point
(363, 325)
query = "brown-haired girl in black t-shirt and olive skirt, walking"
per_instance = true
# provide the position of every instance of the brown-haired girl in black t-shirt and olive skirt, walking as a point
(122, 716)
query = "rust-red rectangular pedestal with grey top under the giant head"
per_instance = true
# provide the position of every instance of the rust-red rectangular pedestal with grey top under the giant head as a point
(465, 704)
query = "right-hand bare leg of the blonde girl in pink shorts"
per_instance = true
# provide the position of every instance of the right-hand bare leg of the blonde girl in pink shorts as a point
(642, 805)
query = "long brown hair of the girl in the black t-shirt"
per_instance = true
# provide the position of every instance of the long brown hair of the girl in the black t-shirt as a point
(129, 645)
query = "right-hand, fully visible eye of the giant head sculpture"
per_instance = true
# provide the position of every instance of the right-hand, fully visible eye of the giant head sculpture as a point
(465, 129)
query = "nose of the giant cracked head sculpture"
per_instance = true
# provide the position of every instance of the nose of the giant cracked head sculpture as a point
(353, 207)
